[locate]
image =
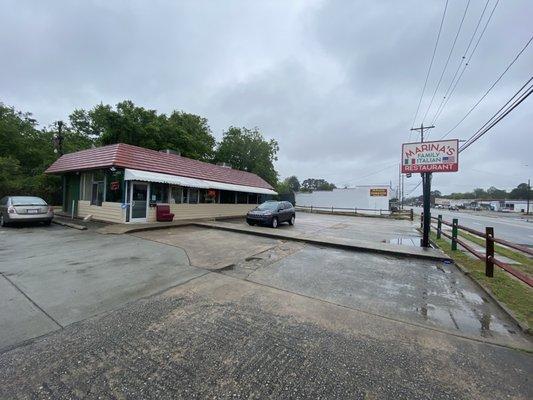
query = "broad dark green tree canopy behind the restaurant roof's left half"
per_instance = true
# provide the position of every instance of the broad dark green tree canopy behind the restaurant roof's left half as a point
(186, 133)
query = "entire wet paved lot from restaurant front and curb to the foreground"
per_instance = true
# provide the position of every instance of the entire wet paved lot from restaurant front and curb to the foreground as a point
(274, 320)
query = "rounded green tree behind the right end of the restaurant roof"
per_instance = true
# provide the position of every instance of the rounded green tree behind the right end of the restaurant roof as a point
(247, 149)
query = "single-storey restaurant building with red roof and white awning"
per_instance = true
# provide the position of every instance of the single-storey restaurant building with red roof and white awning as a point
(125, 183)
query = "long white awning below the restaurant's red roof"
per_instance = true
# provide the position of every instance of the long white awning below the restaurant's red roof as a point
(146, 176)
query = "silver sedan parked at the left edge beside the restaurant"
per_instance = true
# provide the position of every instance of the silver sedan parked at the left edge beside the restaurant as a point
(24, 209)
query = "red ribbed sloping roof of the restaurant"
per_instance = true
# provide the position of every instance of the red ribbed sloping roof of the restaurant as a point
(128, 156)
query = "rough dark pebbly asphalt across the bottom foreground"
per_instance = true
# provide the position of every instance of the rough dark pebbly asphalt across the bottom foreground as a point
(193, 342)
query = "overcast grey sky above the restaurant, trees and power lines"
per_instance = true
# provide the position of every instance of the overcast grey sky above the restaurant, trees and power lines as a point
(336, 83)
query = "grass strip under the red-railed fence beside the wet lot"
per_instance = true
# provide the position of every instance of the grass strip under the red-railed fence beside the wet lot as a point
(517, 296)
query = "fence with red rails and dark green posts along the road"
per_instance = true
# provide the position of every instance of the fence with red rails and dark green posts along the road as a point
(488, 257)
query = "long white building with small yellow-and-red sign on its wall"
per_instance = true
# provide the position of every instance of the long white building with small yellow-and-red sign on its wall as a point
(368, 199)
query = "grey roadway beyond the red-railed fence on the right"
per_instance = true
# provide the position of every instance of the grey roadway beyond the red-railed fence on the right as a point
(506, 227)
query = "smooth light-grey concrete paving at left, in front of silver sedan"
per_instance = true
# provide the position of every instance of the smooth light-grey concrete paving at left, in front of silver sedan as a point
(51, 277)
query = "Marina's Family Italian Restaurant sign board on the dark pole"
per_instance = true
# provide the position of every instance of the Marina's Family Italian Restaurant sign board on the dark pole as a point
(438, 156)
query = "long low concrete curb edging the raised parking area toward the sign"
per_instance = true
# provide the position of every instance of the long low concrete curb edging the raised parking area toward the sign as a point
(380, 248)
